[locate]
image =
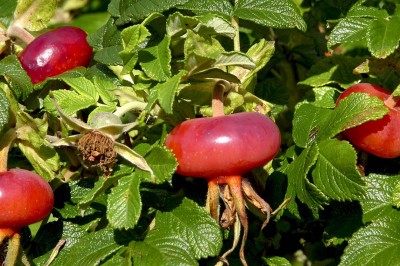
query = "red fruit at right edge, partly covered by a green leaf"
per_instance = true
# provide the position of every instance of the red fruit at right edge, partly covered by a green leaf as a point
(379, 137)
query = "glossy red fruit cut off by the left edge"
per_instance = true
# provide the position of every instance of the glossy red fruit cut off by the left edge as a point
(25, 198)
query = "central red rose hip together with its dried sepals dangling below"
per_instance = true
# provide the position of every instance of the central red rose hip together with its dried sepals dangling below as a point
(221, 149)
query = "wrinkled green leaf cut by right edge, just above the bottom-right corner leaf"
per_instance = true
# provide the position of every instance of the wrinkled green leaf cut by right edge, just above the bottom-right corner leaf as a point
(378, 201)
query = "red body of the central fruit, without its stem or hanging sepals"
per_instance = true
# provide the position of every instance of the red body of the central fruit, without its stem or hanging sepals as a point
(224, 145)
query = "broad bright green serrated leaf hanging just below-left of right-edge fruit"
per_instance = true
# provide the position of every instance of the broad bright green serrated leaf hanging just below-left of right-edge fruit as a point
(335, 173)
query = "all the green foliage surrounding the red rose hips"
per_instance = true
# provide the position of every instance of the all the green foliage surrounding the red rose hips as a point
(156, 64)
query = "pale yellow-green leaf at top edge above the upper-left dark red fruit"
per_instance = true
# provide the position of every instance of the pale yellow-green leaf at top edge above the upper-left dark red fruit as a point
(34, 15)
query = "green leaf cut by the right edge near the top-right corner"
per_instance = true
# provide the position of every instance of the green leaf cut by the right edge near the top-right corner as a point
(383, 36)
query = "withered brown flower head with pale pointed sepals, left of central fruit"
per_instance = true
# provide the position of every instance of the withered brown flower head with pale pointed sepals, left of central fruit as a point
(98, 146)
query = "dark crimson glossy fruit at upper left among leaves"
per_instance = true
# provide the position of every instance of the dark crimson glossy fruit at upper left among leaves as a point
(55, 52)
